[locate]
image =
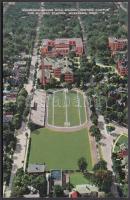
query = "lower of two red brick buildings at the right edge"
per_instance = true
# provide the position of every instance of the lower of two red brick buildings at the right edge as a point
(122, 67)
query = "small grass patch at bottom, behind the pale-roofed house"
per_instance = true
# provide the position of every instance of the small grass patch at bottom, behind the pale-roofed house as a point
(77, 178)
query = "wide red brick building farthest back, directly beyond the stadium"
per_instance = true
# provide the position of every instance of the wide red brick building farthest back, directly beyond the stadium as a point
(62, 47)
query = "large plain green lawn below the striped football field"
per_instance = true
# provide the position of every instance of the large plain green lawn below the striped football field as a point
(59, 150)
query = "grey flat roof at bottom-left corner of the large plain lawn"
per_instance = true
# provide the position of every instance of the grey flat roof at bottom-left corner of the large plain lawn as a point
(36, 168)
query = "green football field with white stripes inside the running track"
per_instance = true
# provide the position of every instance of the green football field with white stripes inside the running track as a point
(66, 109)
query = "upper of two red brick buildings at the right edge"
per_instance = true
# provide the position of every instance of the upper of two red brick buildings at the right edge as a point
(117, 44)
